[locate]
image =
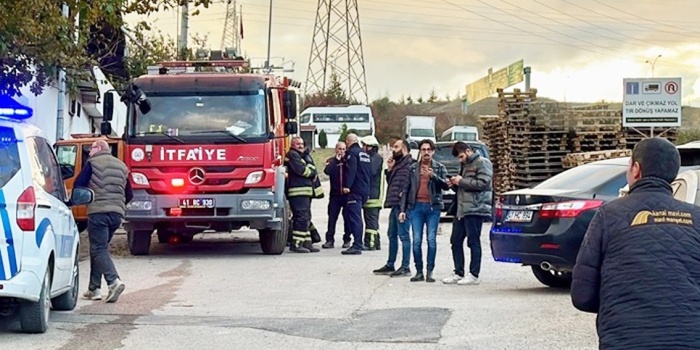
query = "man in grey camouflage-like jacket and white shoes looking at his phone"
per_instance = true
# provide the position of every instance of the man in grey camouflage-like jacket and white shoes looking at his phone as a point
(473, 197)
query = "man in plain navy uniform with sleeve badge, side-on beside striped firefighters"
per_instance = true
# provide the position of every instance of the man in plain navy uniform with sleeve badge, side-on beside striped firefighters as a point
(357, 188)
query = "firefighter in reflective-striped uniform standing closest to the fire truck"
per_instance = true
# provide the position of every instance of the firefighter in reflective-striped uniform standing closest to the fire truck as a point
(300, 176)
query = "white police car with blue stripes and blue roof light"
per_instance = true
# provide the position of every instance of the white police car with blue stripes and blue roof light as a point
(38, 236)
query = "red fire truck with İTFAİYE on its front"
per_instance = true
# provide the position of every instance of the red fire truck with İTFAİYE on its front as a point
(205, 144)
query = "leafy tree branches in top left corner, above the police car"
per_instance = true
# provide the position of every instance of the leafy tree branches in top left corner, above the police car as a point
(37, 40)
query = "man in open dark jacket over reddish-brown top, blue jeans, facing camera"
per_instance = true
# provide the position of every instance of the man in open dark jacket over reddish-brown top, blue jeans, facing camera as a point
(428, 180)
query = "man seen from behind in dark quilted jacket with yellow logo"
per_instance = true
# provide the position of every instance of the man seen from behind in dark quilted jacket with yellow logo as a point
(639, 265)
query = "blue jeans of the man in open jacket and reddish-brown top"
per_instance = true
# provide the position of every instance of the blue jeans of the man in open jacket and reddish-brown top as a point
(424, 215)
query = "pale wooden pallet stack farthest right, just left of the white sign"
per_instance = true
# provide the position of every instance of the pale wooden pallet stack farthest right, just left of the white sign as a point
(595, 128)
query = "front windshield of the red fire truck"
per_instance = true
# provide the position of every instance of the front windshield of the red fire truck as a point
(242, 114)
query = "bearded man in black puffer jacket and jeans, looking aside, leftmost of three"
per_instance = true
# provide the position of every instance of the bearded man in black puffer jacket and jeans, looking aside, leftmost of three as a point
(399, 175)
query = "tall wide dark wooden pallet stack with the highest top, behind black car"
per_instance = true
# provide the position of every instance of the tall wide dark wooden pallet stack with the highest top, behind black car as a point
(537, 137)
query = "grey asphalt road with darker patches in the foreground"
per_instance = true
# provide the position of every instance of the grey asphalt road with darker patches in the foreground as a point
(220, 292)
